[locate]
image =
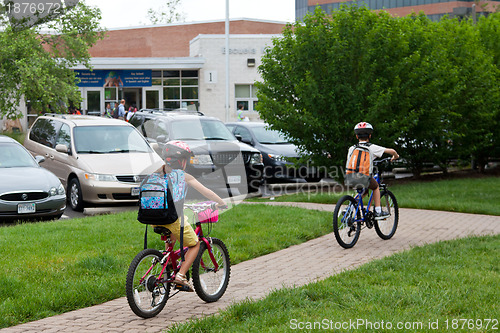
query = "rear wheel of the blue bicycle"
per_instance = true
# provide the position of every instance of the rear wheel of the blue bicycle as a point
(345, 226)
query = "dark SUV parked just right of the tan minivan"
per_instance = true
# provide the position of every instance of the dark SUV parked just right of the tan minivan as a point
(220, 161)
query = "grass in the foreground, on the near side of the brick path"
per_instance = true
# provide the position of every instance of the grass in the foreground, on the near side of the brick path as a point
(422, 289)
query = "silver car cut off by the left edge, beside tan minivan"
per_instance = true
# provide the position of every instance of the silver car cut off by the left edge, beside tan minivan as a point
(27, 191)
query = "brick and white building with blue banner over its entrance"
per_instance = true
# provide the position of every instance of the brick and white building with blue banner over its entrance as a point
(177, 65)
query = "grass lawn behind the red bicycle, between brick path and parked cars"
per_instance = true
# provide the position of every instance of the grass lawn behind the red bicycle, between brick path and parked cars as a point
(54, 267)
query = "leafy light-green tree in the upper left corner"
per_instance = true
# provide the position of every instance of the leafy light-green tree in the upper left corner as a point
(36, 66)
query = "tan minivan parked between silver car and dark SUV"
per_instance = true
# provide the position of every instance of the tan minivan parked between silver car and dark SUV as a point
(98, 160)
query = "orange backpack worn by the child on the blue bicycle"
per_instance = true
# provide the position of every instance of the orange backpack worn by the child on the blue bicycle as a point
(359, 167)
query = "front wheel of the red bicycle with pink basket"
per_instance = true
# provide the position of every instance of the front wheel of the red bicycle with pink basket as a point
(211, 275)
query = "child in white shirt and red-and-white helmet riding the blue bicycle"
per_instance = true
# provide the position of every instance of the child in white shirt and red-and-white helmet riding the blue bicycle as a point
(363, 133)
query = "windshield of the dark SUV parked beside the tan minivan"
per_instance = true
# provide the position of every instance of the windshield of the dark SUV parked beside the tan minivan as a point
(201, 129)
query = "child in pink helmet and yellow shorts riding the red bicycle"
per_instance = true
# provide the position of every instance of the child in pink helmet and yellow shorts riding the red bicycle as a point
(177, 155)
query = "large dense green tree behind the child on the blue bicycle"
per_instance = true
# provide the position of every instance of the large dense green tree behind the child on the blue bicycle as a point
(412, 78)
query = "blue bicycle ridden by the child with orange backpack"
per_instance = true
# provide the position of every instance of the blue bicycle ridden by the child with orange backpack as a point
(350, 216)
